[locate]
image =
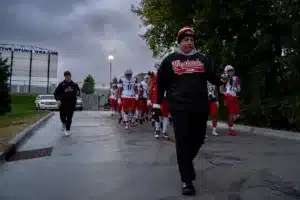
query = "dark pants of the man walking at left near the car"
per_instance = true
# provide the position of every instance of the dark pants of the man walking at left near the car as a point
(66, 112)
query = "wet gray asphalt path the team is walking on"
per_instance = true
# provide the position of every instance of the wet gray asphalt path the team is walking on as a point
(102, 161)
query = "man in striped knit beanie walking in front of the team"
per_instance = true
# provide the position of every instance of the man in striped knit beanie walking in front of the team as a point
(184, 75)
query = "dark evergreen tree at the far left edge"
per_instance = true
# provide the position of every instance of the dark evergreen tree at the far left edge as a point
(5, 99)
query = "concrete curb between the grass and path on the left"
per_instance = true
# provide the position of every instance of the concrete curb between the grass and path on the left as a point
(22, 136)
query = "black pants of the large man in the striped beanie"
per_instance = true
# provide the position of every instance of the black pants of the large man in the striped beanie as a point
(190, 131)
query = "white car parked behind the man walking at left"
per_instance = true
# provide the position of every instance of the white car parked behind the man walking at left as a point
(46, 102)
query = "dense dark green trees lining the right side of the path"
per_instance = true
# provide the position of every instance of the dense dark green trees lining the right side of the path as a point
(261, 39)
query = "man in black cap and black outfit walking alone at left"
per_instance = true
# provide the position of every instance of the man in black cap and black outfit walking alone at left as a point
(66, 95)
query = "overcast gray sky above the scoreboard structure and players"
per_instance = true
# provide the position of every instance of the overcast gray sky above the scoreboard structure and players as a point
(84, 32)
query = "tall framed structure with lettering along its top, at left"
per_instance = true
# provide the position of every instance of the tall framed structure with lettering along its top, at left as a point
(33, 69)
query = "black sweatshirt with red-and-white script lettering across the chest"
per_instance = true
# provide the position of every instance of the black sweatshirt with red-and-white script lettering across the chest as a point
(184, 78)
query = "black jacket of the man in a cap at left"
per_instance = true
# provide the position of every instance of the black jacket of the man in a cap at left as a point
(67, 92)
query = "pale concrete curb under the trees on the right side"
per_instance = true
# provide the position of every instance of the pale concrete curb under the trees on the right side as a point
(260, 131)
